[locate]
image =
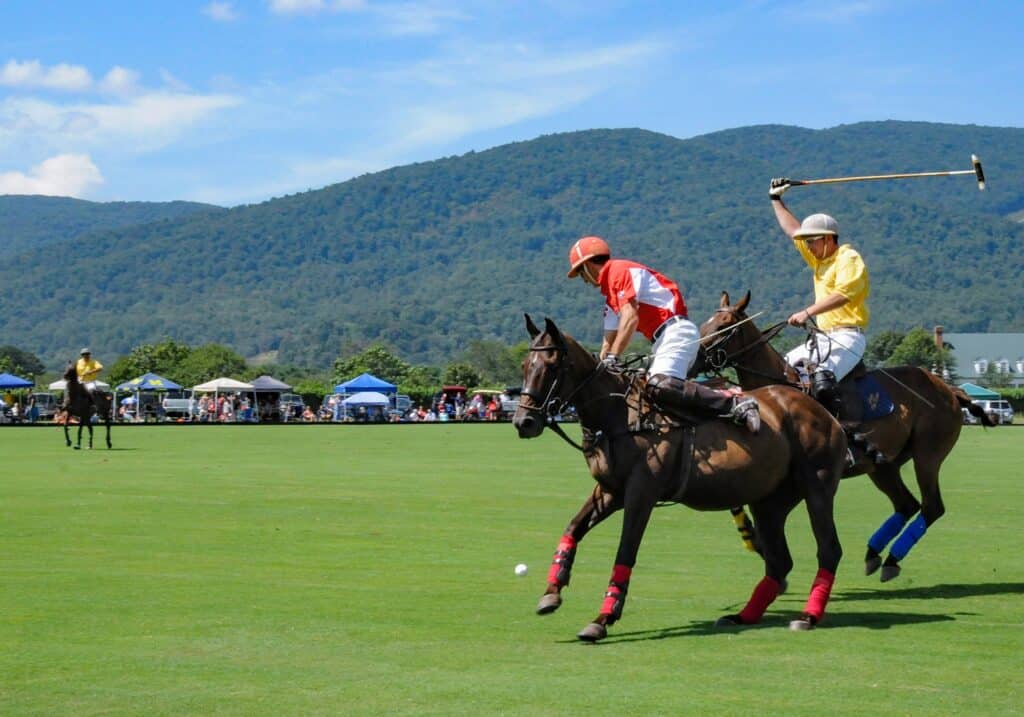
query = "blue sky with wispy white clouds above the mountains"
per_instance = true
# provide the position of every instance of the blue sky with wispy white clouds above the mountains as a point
(236, 102)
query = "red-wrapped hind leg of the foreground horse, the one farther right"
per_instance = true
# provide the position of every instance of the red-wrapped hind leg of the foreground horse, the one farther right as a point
(821, 502)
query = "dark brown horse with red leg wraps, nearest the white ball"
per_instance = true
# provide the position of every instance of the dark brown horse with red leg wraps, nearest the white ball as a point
(641, 459)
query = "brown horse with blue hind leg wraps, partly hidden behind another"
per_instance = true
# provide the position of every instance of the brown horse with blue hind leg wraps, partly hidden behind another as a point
(924, 427)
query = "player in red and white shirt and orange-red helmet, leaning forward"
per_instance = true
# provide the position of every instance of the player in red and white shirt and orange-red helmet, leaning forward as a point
(638, 299)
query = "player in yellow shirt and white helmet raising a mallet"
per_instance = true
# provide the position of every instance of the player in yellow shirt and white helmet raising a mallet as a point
(841, 290)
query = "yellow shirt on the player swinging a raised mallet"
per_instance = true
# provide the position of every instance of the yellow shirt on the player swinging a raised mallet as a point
(843, 273)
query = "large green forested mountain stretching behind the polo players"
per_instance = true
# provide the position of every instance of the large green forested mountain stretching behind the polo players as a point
(431, 257)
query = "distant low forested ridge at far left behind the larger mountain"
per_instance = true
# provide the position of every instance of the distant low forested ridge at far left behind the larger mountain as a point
(28, 223)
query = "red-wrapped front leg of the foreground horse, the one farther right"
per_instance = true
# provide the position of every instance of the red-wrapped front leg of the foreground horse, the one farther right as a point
(637, 513)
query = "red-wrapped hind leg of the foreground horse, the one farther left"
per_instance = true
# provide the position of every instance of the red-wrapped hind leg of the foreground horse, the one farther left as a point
(771, 516)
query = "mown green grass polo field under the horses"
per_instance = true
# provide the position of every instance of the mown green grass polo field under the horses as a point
(369, 571)
